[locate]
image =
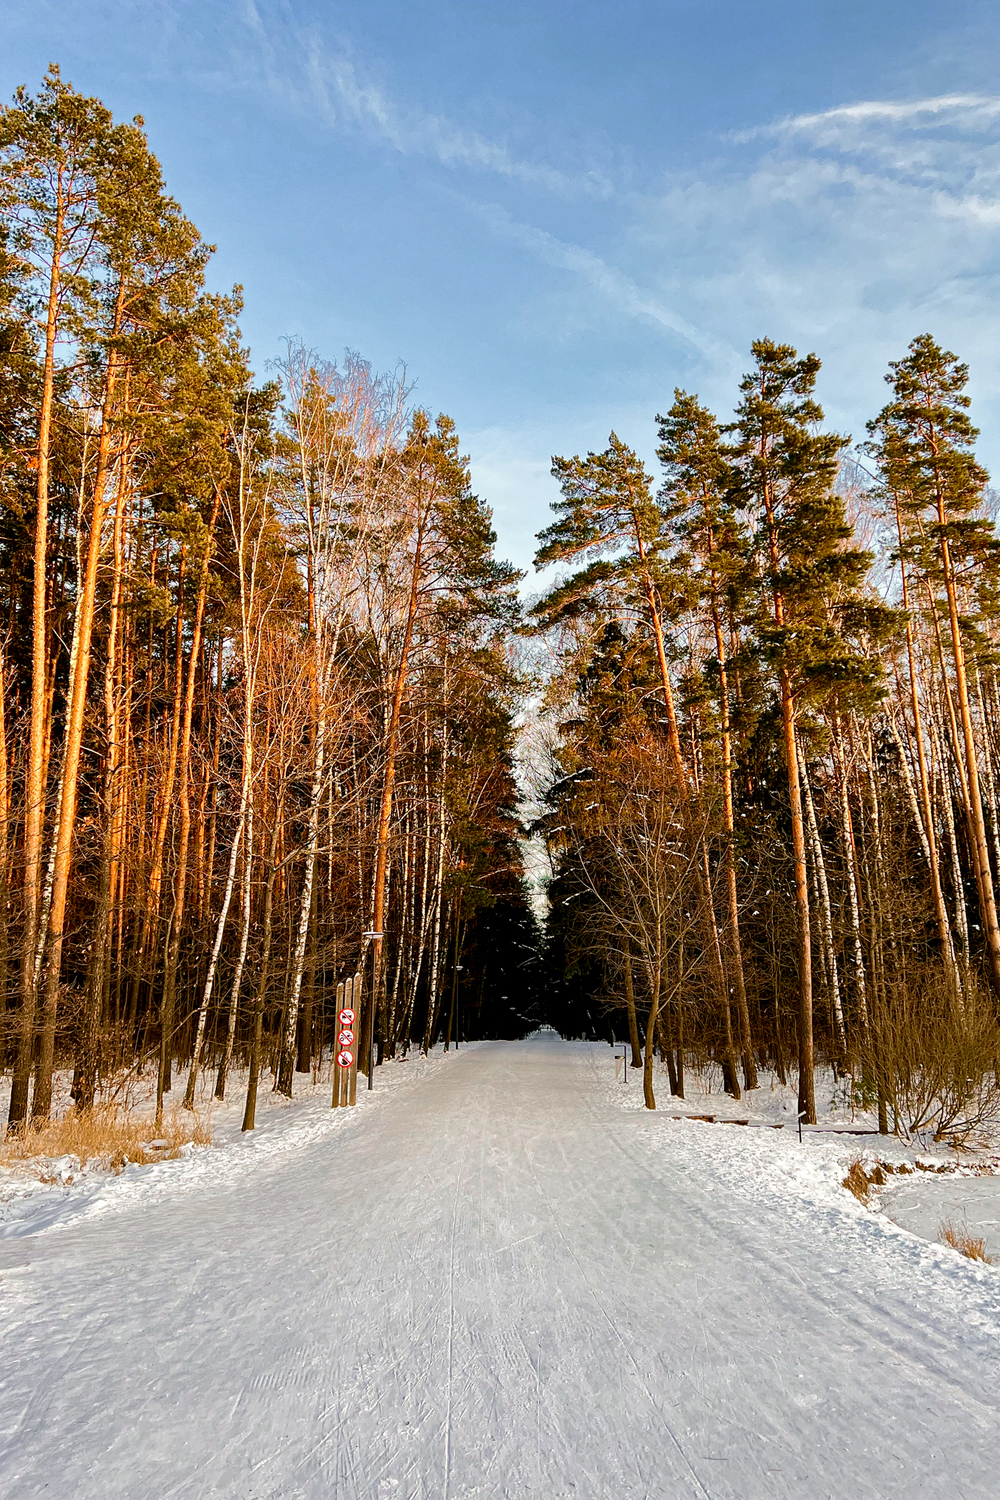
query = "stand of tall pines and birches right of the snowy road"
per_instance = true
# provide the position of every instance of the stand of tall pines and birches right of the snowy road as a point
(773, 796)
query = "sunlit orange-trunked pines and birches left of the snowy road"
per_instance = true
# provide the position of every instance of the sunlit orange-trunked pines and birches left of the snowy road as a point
(256, 701)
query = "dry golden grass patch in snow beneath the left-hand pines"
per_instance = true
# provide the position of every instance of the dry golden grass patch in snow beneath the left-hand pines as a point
(104, 1138)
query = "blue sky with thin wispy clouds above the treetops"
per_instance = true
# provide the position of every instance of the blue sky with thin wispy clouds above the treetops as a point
(557, 212)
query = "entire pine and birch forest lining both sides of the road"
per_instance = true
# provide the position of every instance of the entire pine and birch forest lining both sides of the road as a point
(274, 713)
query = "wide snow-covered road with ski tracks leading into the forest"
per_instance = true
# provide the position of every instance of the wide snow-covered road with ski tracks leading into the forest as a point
(499, 1285)
